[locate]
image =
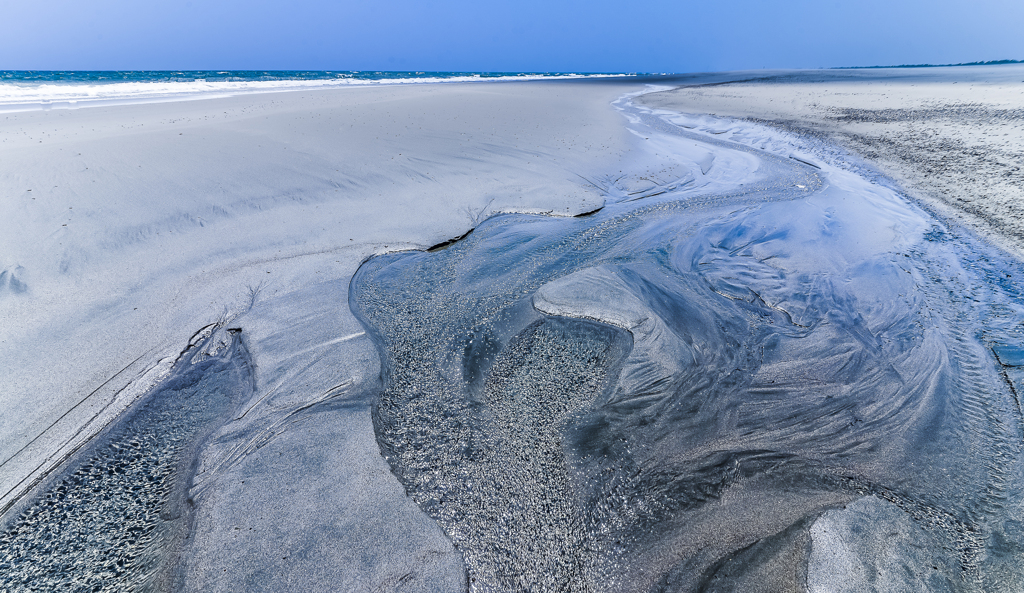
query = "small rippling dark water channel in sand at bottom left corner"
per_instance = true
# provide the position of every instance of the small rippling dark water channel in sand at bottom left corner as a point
(116, 517)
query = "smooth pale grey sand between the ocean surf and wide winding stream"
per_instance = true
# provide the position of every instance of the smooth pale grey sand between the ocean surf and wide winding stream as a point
(125, 230)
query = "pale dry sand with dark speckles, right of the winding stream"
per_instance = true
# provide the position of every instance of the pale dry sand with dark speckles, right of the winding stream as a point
(951, 137)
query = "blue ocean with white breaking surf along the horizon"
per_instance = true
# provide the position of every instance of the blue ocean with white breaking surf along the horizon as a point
(60, 90)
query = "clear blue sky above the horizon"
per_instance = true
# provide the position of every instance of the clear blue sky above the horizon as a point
(527, 35)
